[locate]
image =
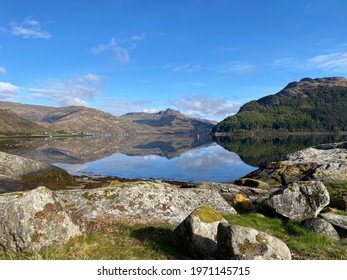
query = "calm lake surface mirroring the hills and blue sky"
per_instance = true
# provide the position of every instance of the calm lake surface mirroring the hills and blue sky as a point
(183, 158)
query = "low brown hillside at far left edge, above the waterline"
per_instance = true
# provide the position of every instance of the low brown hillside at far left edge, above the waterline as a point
(11, 124)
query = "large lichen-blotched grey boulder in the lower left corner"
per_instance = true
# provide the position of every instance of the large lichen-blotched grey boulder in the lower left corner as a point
(35, 219)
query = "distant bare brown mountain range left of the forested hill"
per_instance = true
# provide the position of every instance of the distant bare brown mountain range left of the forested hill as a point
(91, 121)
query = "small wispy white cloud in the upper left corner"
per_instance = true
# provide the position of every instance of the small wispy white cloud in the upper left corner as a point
(29, 28)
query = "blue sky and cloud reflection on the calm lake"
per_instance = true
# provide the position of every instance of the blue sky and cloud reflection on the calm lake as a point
(211, 164)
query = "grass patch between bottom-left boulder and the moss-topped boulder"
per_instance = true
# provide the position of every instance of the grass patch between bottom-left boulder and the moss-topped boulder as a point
(116, 242)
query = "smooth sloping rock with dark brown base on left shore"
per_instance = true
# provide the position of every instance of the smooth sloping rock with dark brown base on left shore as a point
(17, 173)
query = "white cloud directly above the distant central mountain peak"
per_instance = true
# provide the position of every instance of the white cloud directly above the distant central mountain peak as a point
(205, 106)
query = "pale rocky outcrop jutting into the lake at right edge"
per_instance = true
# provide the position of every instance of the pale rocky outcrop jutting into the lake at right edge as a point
(326, 163)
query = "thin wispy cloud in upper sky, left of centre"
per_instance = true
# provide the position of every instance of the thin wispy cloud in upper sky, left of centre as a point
(120, 50)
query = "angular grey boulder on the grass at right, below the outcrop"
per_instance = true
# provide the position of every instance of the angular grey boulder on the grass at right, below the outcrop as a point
(301, 200)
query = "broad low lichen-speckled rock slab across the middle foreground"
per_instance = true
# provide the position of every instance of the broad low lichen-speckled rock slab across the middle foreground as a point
(143, 201)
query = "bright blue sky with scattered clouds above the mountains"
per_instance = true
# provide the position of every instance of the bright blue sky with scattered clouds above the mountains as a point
(204, 58)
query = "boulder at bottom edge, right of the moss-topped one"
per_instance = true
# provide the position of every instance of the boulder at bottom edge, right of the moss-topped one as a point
(244, 243)
